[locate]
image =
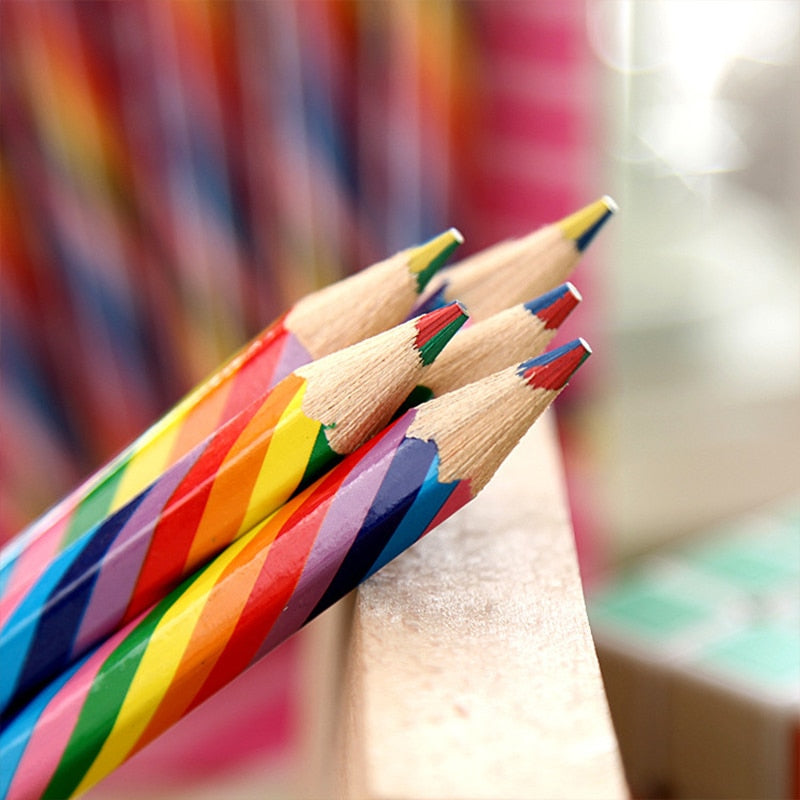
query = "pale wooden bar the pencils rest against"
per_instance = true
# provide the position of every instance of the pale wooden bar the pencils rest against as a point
(471, 670)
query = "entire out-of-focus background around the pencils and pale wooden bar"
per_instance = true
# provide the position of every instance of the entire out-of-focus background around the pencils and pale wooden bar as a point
(174, 174)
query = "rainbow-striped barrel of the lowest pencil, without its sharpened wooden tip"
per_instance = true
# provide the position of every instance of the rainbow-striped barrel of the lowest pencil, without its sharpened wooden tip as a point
(307, 556)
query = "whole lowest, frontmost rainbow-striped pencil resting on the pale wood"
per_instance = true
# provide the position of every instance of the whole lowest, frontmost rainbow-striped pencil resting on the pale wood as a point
(260, 590)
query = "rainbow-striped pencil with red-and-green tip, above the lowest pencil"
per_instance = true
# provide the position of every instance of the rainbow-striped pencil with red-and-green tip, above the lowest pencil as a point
(220, 490)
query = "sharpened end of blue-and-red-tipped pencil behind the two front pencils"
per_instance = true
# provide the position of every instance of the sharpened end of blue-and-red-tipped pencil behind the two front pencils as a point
(505, 338)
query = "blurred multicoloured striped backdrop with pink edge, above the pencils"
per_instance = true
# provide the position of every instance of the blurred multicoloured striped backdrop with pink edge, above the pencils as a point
(174, 175)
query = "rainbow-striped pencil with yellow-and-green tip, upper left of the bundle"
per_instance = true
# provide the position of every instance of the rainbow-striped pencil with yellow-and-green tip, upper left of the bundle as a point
(319, 324)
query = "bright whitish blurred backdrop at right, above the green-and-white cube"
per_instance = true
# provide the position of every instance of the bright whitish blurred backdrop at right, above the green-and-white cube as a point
(702, 411)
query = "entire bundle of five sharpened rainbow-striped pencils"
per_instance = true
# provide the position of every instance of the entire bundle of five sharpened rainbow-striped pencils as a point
(270, 492)
